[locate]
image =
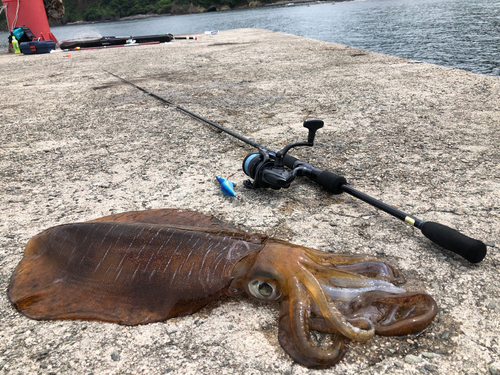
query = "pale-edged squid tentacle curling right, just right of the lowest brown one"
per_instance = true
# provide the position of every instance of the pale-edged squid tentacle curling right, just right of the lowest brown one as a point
(334, 318)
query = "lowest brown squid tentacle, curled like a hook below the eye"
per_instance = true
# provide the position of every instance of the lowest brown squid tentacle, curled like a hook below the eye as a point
(294, 331)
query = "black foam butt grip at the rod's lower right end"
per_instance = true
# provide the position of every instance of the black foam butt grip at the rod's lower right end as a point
(450, 239)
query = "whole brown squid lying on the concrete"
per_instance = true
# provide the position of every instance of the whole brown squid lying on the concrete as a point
(148, 266)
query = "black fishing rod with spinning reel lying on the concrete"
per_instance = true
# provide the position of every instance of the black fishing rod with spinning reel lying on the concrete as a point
(267, 169)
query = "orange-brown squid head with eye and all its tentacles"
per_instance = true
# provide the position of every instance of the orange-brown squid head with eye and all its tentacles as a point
(348, 296)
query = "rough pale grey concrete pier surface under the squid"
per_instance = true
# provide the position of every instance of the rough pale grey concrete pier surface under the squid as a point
(78, 144)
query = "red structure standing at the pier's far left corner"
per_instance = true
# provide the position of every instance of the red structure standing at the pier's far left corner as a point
(30, 13)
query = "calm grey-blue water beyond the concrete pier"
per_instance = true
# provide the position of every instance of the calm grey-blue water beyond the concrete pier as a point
(457, 33)
